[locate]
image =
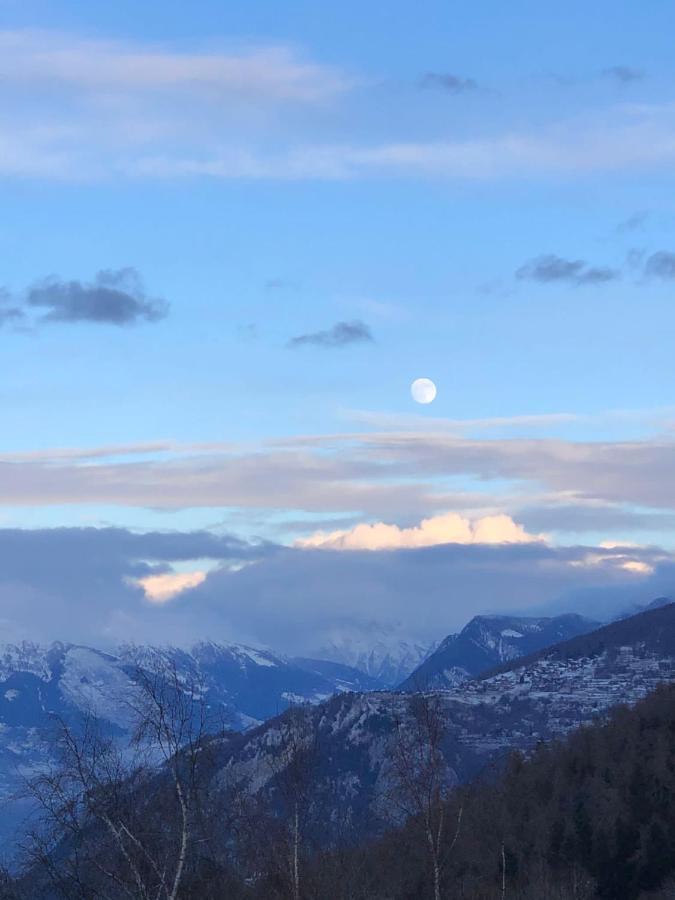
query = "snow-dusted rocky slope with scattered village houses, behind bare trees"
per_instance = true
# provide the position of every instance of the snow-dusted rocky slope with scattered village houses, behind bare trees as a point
(531, 699)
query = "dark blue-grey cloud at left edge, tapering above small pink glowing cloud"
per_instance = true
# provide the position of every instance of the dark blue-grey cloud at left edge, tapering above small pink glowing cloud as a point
(78, 584)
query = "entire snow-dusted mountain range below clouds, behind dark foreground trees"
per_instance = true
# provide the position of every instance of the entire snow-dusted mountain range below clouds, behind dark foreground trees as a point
(501, 685)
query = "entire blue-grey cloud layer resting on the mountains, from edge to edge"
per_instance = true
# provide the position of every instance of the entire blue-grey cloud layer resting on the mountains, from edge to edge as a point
(81, 584)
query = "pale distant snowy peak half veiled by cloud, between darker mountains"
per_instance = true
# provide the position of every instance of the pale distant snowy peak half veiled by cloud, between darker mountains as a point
(383, 655)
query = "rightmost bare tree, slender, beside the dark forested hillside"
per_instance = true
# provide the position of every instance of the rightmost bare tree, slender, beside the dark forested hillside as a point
(421, 779)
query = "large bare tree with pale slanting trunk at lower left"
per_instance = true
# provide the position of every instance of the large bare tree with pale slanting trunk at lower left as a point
(107, 829)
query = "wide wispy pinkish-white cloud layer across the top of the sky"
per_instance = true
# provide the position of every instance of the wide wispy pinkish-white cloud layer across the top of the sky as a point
(85, 109)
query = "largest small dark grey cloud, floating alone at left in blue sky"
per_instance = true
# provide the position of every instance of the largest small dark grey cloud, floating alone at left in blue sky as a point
(115, 297)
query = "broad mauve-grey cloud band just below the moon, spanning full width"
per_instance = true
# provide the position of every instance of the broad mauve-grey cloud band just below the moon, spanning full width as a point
(388, 476)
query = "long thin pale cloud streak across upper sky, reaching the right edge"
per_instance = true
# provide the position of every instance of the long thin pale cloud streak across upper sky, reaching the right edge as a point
(568, 148)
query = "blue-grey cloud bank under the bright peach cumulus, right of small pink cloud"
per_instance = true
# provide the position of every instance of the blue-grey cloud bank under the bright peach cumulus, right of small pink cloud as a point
(297, 599)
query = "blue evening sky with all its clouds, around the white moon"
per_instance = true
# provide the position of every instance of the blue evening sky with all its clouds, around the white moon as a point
(233, 235)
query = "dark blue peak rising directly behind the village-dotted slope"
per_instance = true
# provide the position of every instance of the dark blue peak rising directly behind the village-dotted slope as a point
(487, 641)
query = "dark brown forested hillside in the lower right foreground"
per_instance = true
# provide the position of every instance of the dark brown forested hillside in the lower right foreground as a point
(588, 817)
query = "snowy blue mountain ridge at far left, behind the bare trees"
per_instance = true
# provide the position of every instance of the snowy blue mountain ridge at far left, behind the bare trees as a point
(39, 685)
